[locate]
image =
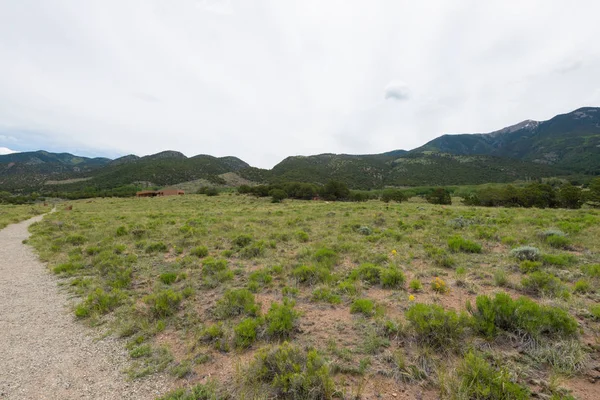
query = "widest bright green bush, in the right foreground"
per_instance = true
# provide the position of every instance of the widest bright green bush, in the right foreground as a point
(521, 316)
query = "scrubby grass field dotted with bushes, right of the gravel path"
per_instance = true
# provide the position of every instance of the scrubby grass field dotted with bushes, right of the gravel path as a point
(241, 298)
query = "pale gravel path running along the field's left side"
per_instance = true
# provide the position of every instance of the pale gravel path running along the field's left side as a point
(44, 352)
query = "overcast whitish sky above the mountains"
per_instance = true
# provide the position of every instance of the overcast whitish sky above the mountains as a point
(262, 80)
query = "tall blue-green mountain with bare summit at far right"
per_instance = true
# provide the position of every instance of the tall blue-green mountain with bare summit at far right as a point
(568, 141)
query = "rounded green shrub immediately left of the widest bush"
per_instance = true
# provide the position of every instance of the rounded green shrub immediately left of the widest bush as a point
(436, 327)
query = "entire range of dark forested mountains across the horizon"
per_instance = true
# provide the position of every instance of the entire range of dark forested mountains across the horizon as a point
(568, 144)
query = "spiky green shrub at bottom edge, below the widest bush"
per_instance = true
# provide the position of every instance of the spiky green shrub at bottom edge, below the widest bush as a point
(477, 379)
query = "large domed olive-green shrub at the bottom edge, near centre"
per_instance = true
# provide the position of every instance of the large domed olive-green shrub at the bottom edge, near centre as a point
(287, 372)
